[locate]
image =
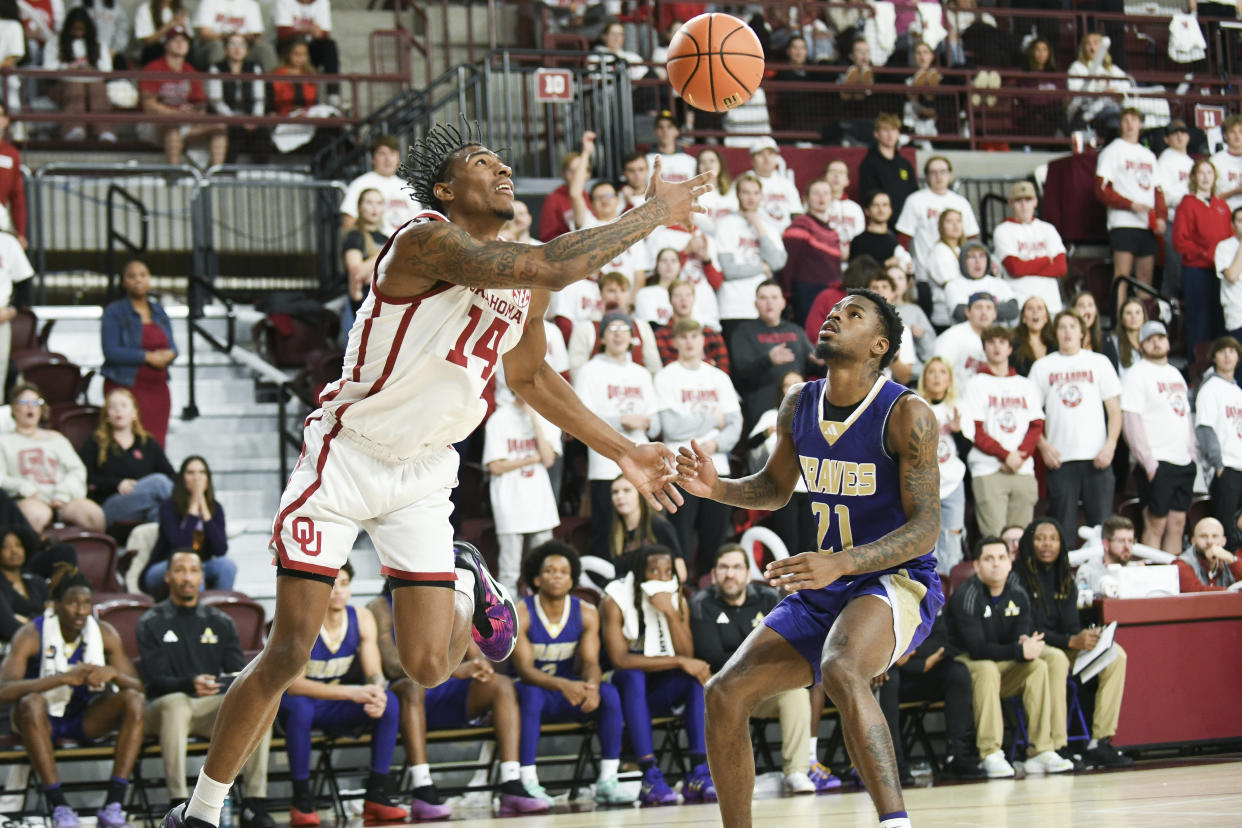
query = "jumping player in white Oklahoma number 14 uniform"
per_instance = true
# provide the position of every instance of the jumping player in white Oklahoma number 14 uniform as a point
(448, 302)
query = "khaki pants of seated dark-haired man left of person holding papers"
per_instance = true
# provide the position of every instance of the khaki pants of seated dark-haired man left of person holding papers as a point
(993, 681)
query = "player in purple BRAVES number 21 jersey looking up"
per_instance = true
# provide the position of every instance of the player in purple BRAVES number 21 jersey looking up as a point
(868, 450)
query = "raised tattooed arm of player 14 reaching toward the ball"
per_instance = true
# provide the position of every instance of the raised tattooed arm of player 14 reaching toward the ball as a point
(448, 251)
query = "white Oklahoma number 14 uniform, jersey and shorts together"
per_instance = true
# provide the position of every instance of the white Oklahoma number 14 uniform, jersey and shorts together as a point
(378, 454)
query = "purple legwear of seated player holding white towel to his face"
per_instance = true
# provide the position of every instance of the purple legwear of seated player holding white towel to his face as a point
(658, 695)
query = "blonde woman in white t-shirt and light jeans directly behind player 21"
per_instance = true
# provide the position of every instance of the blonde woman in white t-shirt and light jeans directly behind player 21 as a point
(941, 390)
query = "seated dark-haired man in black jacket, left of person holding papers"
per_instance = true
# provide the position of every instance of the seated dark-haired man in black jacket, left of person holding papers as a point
(990, 623)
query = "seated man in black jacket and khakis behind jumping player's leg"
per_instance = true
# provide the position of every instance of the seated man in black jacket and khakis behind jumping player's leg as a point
(187, 647)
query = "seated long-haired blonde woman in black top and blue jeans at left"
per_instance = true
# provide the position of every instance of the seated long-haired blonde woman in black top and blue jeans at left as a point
(127, 470)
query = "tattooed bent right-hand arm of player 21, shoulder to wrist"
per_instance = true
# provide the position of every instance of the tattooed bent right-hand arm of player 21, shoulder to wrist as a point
(921, 495)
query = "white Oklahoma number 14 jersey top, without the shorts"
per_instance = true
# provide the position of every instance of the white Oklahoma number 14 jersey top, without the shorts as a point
(417, 367)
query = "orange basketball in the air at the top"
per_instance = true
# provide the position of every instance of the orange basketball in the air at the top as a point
(716, 63)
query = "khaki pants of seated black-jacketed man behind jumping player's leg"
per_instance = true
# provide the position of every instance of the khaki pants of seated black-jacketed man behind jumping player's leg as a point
(177, 717)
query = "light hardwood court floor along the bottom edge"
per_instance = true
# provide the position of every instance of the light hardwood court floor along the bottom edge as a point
(1194, 793)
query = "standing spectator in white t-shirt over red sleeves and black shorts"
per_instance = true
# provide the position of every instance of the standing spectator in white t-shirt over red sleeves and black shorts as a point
(1128, 183)
